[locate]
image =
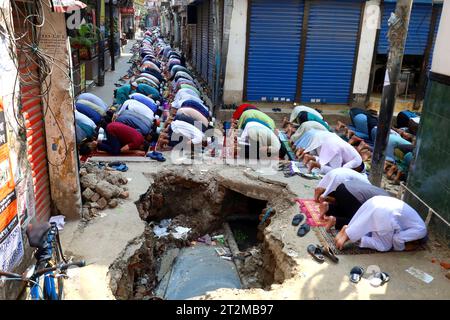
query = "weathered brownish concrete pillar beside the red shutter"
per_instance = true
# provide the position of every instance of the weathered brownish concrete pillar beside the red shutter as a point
(59, 119)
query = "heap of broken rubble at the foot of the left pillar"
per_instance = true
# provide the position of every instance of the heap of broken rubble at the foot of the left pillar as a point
(102, 187)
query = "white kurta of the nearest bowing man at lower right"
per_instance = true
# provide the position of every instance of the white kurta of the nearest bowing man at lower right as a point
(383, 223)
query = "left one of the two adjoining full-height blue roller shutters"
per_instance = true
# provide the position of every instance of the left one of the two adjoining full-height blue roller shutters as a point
(273, 50)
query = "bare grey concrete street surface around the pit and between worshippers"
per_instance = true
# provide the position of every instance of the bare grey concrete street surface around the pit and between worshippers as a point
(104, 239)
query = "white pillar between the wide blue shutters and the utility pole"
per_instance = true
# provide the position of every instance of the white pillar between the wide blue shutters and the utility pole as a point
(366, 50)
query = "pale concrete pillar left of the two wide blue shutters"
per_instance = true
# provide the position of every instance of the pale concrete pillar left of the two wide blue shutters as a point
(235, 63)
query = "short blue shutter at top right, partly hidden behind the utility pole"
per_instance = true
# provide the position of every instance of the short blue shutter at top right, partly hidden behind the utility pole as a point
(419, 27)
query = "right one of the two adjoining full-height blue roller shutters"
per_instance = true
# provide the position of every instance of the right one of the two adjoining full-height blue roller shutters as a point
(330, 51)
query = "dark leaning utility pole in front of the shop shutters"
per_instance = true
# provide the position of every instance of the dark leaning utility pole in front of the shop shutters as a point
(398, 31)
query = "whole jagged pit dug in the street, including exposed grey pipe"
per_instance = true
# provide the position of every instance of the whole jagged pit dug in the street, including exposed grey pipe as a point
(210, 206)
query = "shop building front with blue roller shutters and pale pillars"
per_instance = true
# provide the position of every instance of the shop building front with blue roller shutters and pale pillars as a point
(308, 51)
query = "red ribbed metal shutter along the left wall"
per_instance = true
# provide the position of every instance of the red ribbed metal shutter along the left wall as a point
(32, 110)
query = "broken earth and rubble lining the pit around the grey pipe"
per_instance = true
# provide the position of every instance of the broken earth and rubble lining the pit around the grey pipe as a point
(184, 209)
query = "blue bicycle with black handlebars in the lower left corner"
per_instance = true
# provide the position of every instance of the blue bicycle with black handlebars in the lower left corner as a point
(50, 265)
